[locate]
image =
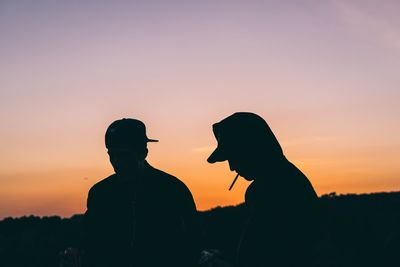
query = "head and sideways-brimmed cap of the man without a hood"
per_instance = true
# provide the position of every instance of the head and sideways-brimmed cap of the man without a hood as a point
(126, 141)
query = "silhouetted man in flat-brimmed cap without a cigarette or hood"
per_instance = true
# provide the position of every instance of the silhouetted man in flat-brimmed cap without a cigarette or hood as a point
(139, 216)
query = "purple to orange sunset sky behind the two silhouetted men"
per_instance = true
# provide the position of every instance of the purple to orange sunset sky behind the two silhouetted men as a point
(324, 74)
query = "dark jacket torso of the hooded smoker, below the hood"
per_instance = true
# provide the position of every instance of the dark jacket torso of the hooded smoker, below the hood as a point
(284, 219)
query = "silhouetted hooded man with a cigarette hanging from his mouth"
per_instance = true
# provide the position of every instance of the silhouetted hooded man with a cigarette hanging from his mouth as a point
(282, 204)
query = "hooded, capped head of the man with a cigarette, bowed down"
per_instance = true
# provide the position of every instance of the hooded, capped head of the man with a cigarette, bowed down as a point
(245, 141)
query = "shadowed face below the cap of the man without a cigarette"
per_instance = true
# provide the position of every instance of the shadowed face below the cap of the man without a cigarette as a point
(124, 161)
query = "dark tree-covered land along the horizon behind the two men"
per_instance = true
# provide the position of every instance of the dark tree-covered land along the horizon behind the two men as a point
(358, 230)
